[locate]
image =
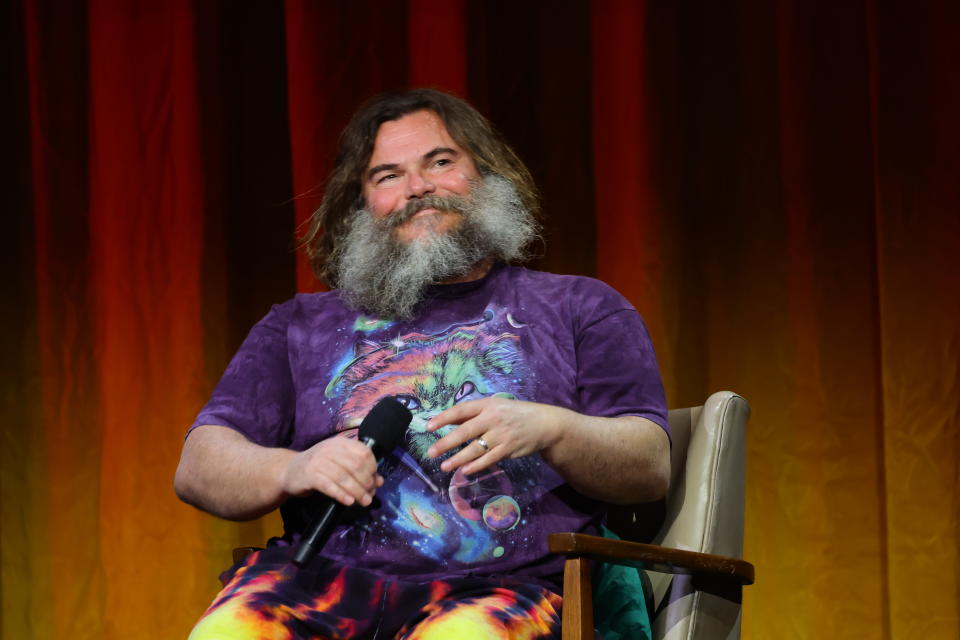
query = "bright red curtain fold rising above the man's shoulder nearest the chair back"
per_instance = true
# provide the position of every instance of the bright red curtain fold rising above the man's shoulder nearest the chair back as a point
(627, 211)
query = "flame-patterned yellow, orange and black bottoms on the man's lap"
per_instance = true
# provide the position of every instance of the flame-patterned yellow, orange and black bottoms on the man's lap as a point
(269, 598)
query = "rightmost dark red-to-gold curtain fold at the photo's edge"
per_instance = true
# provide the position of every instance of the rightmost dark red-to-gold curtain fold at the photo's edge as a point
(916, 136)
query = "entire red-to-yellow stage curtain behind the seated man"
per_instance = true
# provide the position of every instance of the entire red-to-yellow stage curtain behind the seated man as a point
(774, 186)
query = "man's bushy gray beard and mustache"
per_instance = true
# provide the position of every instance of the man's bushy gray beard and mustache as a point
(382, 275)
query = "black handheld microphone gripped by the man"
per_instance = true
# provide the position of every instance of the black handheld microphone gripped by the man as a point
(380, 430)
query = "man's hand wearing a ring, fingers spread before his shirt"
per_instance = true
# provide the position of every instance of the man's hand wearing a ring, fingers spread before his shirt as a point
(508, 428)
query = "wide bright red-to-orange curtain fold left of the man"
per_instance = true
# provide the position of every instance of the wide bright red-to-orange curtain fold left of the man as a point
(145, 235)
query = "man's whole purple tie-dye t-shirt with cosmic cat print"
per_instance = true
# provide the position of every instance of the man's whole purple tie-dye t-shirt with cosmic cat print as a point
(313, 367)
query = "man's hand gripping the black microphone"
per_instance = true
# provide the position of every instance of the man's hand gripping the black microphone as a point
(340, 467)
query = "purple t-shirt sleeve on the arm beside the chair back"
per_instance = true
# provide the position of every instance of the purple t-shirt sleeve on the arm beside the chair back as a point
(617, 372)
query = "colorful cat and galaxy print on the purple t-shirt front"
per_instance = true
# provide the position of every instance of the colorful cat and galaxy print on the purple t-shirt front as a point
(438, 512)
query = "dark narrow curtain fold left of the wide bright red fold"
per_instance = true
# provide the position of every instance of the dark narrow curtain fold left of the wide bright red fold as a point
(52, 453)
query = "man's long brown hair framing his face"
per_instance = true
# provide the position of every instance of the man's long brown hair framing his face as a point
(344, 189)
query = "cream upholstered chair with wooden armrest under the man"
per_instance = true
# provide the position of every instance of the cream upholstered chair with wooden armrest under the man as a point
(692, 563)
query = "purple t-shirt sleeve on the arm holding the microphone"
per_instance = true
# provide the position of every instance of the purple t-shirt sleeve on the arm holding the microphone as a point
(255, 396)
